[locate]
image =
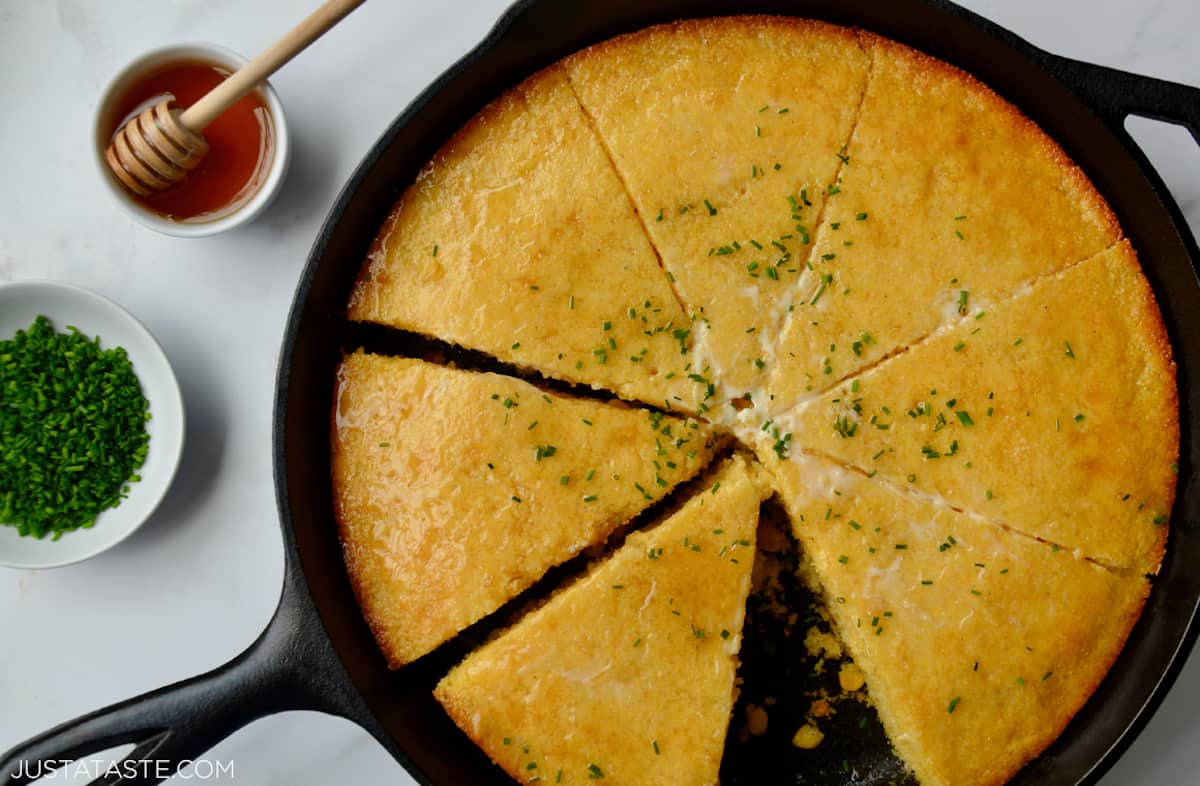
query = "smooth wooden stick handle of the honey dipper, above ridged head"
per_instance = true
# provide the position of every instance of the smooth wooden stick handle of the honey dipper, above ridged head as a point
(247, 79)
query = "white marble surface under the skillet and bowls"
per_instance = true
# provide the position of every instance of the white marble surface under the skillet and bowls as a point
(200, 581)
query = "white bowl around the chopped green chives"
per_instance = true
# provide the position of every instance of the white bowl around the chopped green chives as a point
(21, 303)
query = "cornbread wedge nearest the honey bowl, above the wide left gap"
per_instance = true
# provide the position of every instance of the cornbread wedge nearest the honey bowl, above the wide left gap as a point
(518, 239)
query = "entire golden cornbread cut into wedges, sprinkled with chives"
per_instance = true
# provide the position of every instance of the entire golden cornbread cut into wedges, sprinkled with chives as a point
(848, 256)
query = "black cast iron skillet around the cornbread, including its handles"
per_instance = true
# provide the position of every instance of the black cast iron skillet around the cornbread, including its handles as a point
(317, 652)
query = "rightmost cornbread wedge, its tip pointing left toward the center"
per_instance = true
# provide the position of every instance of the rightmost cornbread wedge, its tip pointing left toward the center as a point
(1055, 413)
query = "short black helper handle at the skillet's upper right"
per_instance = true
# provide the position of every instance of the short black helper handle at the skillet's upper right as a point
(1115, 95)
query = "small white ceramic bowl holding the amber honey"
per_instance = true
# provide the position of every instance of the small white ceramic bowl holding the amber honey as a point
(105, 121)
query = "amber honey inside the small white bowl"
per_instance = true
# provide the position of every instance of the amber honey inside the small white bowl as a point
(242, 143)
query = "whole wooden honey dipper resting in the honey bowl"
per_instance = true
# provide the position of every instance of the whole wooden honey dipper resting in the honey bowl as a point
(158, 149)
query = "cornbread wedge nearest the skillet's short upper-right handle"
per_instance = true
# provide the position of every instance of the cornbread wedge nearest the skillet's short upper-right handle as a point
(950, 201)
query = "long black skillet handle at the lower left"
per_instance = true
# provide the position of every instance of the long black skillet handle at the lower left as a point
(287, 668)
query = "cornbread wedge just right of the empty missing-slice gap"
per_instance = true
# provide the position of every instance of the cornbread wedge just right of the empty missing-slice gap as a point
(979, 644)
